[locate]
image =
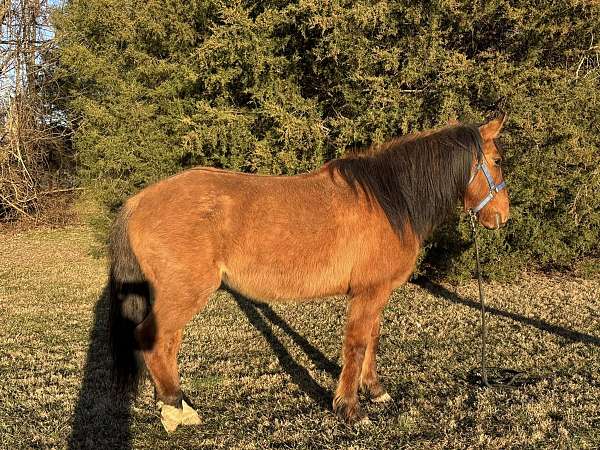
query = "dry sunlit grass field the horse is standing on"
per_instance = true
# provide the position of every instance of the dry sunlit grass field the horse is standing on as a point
(263, 376)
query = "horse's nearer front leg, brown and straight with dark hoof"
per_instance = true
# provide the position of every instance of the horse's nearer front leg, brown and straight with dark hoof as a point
(364, 310)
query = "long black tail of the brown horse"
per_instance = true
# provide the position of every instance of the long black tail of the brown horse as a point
(129, 299)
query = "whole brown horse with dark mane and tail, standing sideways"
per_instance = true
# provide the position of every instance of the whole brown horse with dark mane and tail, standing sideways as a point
(353, 227)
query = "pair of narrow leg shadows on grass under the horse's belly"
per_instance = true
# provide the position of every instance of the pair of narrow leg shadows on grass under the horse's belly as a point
(262, 316)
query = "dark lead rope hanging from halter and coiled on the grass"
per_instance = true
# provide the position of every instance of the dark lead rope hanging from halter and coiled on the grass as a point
(506, 378)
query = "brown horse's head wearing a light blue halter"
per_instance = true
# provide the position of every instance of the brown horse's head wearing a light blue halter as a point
(486, 194)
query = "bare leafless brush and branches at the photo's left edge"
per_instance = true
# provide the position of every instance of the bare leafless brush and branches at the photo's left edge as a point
(30, 134)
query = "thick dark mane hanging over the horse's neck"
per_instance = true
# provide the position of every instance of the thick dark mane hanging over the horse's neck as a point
(416, 178)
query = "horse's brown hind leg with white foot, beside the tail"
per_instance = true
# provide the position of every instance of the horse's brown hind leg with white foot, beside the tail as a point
(162, 331)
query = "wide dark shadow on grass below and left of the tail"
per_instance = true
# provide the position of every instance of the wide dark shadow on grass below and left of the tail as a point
(100, 420)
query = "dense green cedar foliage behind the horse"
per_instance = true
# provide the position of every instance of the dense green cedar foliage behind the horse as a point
(280, 87)
